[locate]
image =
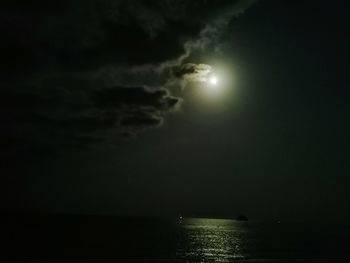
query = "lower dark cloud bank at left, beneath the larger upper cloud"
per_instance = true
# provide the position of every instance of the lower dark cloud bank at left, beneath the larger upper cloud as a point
(95, 115)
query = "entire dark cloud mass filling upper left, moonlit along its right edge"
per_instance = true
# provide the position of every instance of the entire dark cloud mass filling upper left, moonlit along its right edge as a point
(80, 72)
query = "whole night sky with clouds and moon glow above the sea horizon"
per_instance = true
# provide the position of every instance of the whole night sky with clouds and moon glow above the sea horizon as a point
(106, 108)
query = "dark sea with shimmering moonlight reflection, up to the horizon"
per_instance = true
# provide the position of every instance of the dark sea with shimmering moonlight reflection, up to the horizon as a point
(110, 239)
